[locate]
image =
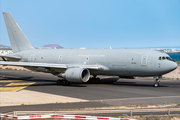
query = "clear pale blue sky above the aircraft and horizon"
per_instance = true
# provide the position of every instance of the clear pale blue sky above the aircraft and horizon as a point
(95, 23)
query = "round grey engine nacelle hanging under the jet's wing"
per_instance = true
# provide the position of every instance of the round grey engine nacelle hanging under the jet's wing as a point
(76, 75)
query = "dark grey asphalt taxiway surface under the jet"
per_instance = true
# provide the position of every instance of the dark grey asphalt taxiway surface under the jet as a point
(112, 91)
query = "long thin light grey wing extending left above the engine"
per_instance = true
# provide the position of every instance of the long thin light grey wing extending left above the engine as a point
(50, 65)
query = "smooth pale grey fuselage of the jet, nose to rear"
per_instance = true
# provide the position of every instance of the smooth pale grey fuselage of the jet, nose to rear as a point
(120, 62)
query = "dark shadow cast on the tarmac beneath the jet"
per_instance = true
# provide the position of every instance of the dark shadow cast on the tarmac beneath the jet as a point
(104, 81)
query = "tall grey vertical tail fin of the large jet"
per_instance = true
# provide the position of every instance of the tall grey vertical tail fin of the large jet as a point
(19, 41)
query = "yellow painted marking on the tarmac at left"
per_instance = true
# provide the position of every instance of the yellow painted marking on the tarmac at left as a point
(13, 87)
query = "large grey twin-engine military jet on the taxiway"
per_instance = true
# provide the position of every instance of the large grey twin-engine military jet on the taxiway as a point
(78, 65)
